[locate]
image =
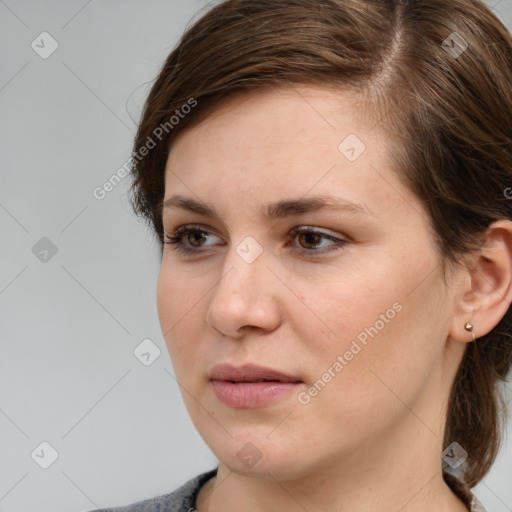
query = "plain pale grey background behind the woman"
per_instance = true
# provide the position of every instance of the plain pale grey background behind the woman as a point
(70, 321)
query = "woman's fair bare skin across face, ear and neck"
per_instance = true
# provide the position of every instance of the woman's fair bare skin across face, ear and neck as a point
(372, 438)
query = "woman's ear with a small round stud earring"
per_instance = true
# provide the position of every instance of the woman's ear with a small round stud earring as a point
(486, 291)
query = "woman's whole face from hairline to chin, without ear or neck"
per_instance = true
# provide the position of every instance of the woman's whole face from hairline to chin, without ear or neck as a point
(351, 311)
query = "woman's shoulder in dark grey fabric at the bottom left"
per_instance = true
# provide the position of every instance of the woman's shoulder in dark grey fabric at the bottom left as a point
(180, 500)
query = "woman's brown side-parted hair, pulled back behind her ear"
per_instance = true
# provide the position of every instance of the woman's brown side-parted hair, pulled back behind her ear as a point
(448, 108)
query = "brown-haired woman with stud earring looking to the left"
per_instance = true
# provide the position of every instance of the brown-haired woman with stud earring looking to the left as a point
(330, 182)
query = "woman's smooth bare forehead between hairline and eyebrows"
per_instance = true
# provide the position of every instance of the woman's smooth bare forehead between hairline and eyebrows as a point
(272, 144)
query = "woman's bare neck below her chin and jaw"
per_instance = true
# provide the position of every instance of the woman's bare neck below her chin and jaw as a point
(228, 490)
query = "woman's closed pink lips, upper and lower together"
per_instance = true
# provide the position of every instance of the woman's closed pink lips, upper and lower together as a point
(250, 386)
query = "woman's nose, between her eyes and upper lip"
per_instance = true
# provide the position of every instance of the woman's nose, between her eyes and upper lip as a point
(245, 297)
